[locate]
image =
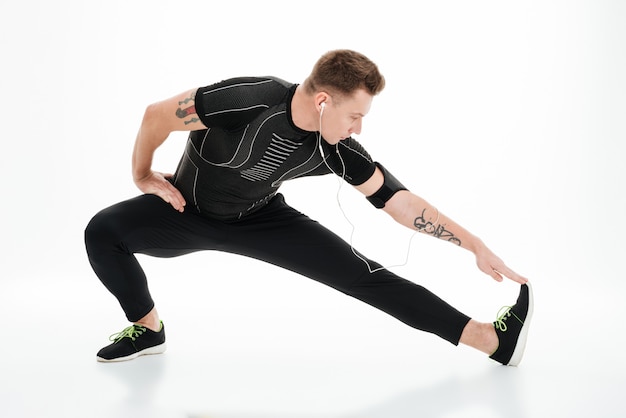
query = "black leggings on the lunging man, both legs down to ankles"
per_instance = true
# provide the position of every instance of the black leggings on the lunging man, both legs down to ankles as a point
(277, 234)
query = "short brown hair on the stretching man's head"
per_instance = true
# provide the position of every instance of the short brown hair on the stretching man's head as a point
(344, 71)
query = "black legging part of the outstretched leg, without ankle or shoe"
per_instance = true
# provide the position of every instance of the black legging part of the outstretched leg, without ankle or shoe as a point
(282, 236)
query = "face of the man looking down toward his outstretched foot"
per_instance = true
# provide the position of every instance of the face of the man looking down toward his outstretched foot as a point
(342, 118)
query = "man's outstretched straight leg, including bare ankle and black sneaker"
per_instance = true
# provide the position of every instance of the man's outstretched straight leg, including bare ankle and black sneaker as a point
(283, 236)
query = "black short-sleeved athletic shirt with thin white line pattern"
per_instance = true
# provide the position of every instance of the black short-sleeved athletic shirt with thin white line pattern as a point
(251, 146)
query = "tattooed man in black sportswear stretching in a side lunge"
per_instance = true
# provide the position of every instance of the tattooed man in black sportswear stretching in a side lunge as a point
(248, 136)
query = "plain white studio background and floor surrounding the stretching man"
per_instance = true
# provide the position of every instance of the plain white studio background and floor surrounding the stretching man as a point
(508, 116)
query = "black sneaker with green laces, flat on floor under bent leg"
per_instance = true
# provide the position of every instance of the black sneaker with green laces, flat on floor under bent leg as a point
(132, 342)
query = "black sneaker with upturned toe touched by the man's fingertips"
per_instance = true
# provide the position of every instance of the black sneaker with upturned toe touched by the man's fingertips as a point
(512, 328)
